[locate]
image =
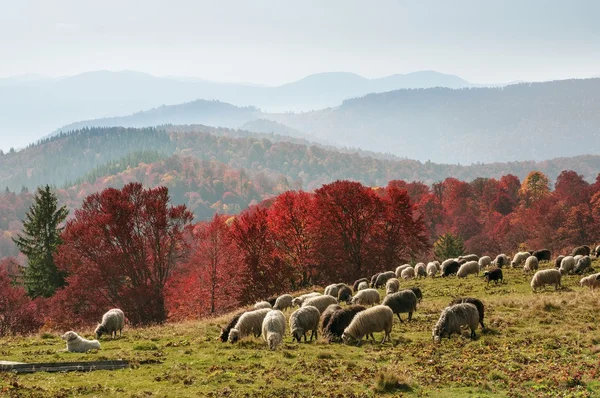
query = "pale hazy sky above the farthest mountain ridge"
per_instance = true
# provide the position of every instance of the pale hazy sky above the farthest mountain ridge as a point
(276, 41)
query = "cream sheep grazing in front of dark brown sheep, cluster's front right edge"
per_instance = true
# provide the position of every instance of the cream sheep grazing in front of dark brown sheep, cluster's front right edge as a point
(375, 319)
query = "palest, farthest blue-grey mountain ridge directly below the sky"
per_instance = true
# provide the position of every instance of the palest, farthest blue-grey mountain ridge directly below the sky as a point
(32, 106)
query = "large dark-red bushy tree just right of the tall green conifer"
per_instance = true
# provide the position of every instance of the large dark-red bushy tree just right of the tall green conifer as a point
(120, 250)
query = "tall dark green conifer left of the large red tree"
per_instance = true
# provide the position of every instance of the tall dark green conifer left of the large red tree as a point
(40, 238)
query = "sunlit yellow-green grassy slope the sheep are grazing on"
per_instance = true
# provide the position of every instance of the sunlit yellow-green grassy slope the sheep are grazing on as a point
(537, 345)
